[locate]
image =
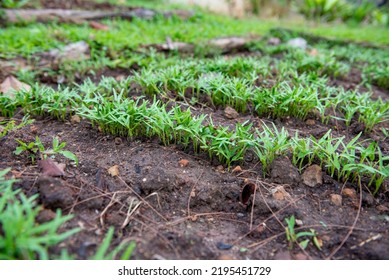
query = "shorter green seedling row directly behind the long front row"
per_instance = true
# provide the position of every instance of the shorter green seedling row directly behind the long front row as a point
(296, 97)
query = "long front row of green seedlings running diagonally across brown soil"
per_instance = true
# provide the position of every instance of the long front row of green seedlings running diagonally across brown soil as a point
(118, 115)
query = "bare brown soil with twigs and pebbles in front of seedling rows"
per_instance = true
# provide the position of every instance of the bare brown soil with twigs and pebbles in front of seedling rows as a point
(178, 205)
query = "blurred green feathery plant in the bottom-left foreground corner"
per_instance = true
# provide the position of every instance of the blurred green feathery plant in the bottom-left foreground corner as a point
(22, 237)
